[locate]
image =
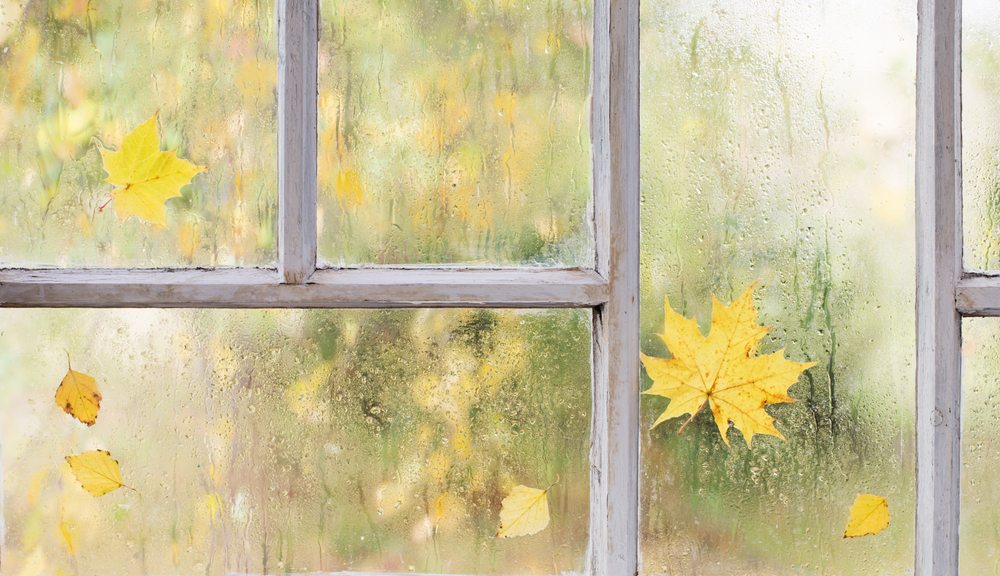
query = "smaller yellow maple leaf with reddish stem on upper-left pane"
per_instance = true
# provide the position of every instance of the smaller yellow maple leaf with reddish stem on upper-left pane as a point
(145, 177)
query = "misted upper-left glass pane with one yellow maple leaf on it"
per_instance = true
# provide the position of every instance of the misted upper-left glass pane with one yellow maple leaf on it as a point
(81, 75)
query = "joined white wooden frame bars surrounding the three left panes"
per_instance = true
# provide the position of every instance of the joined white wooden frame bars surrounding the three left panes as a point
(611, 289)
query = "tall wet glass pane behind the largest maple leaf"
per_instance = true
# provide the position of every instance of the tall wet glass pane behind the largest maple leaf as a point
(777, 142)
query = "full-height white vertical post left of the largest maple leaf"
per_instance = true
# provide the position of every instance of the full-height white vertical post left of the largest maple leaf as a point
(614, 453)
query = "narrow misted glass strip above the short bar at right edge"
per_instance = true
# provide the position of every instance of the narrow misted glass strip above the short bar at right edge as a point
(981, 132)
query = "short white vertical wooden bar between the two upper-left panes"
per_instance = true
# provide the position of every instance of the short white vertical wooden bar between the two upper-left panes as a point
(298, 37)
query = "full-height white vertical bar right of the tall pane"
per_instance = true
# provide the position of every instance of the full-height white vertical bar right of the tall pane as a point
(939, 266)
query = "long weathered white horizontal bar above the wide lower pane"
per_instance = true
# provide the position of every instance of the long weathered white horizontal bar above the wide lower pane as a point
(341, 288)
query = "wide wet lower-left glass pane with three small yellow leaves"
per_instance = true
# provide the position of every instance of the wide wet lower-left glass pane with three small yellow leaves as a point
(268, 442)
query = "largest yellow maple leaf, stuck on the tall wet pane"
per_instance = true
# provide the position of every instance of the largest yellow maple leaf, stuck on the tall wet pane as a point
(721, 370)
